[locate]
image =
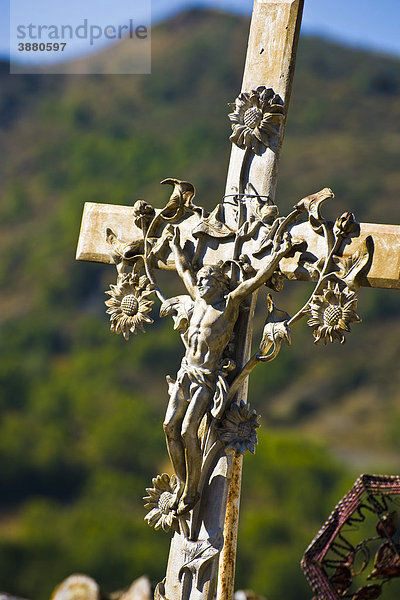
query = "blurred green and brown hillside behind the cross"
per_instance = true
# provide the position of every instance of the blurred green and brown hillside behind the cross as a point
(81, 409)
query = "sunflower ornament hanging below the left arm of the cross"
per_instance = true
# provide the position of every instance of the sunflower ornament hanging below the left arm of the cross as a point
(128, 305)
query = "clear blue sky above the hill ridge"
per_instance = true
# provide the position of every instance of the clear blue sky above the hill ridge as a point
(369, 24)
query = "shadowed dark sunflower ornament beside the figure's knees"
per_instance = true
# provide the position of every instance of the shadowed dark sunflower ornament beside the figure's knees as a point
(238, 429)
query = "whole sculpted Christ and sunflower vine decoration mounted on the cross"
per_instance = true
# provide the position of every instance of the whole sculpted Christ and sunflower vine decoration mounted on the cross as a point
(223, 258)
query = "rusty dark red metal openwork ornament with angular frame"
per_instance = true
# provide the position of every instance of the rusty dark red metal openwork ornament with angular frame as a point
(344, 561)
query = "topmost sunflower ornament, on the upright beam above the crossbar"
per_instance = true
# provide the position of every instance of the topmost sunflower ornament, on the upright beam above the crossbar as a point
(256, 119)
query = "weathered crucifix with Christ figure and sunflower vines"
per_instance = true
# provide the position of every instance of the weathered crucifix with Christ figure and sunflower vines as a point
(223, 258)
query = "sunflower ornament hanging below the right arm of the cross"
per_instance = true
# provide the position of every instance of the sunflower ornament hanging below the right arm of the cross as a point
(332, 312)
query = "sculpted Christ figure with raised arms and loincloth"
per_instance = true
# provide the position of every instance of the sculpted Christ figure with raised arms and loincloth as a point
(215, 310)
